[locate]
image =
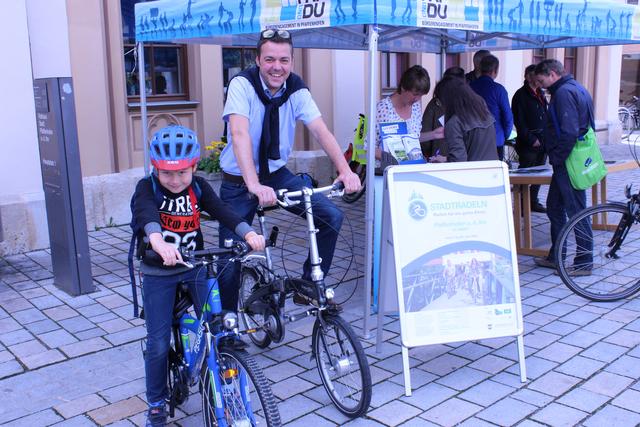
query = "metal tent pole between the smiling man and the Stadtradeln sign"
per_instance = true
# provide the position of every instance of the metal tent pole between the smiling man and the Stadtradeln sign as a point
(370, 192)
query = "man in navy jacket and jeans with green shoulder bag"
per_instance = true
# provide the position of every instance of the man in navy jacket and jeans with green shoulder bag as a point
(569, 116)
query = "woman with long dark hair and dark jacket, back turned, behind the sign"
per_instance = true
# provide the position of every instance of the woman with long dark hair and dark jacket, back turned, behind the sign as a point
(469, 126)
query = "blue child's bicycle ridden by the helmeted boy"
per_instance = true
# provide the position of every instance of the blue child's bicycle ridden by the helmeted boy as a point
(234, 390)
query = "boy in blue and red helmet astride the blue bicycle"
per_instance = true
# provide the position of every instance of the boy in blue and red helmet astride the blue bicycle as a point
(167, 206)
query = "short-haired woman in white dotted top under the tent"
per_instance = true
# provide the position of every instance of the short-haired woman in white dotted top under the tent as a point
(404, 105)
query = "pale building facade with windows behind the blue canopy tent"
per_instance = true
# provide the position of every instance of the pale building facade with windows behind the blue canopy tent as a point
(186, 84)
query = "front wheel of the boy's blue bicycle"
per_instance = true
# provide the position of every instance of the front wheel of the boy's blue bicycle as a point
(232, 364)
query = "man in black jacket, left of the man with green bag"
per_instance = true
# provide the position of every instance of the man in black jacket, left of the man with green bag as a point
(529, 108)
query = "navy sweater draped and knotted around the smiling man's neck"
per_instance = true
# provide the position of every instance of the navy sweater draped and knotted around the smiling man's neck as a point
(270, 138)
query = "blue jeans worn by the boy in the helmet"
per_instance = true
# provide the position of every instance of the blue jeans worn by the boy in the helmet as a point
(159, 295)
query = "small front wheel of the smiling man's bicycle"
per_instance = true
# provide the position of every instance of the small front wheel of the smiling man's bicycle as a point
(336, 363)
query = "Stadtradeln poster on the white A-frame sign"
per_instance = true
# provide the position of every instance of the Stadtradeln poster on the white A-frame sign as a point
(460, 276)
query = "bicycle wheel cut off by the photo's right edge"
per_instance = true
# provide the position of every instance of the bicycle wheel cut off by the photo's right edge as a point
(610, 279)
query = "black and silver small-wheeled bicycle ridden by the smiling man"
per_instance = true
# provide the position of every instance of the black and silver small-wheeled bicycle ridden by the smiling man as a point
(339, 356)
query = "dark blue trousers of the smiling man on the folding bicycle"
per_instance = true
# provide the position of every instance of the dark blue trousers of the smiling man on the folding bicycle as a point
(327, 216)
